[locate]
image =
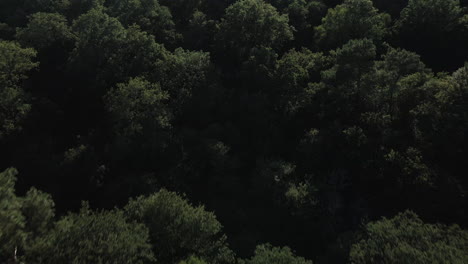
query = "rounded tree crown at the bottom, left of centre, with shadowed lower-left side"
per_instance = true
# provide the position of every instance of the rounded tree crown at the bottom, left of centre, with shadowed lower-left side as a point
(178, 229)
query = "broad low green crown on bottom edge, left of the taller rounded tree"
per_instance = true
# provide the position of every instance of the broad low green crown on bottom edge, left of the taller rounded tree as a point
(96, 237)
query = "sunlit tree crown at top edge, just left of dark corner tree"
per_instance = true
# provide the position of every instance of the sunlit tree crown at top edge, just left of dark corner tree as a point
(354, 19)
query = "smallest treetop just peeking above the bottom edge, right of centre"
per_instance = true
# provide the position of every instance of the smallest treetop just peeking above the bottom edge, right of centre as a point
(267, 254)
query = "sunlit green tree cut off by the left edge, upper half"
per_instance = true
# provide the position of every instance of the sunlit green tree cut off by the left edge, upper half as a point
(15, 63)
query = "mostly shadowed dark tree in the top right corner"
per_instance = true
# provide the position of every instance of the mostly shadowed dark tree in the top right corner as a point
(429, 27)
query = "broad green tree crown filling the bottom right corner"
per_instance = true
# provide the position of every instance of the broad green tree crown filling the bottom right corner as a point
(407, 239)
